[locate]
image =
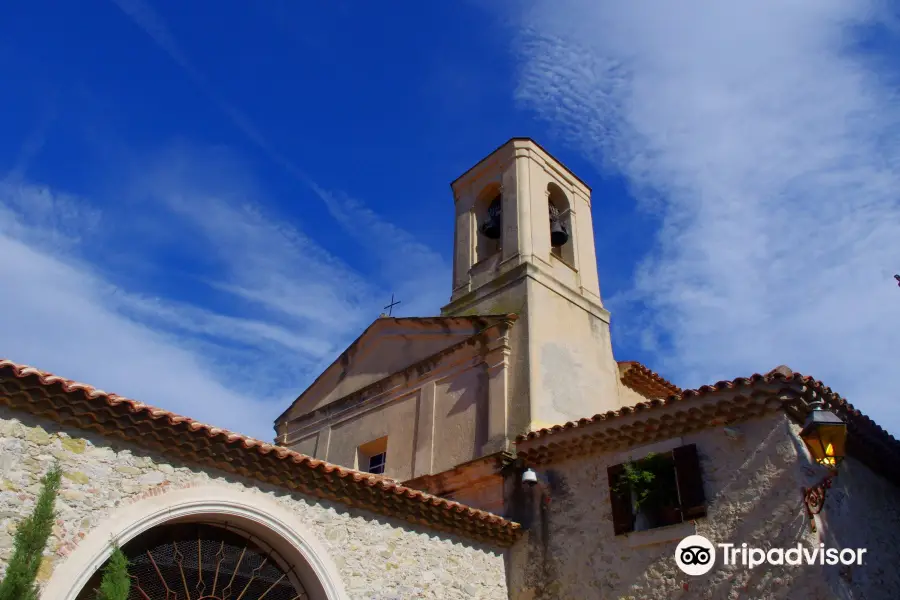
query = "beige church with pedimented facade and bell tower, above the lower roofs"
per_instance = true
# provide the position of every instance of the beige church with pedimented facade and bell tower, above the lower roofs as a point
(523, 343)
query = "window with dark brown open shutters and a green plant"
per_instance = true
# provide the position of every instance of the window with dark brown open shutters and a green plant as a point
(659, 490)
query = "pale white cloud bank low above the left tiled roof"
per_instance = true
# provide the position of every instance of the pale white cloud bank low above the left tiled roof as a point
(59, 316)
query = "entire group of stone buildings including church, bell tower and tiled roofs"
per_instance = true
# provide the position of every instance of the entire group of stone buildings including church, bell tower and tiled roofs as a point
(476, 454)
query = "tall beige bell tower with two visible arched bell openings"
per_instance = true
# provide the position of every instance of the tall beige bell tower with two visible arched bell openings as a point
(524, 244)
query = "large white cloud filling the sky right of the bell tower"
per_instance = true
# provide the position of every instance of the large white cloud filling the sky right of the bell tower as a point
(766, 139)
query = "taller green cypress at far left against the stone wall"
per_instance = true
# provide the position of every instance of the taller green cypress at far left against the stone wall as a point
(29, 543)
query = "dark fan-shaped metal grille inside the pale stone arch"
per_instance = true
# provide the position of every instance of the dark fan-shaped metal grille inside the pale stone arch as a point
(203, 562)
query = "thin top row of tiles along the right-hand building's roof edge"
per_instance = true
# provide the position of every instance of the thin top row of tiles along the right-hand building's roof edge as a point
(781, 373)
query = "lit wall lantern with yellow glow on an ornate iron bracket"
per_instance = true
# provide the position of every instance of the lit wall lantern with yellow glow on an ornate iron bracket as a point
(825, 436)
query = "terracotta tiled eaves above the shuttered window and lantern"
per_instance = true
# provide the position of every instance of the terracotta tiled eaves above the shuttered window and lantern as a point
(867, 440)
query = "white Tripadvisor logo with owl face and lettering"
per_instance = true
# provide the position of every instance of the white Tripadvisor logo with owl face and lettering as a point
(696, 555)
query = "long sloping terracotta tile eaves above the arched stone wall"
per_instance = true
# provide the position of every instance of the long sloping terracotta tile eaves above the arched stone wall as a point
(85, 407)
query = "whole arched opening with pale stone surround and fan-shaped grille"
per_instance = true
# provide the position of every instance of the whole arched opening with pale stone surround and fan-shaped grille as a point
(187, 524)
